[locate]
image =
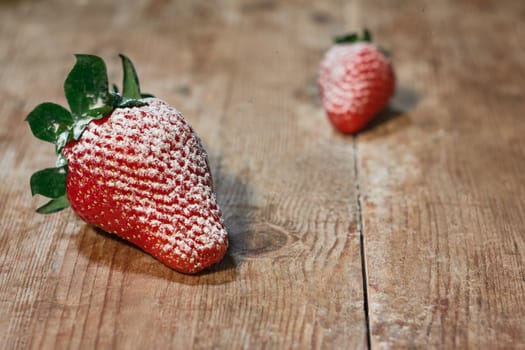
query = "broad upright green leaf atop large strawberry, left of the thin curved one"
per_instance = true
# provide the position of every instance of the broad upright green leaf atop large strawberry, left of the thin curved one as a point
(86, 86)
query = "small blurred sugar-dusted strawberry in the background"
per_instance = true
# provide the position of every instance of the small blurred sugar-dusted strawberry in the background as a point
(356, 80)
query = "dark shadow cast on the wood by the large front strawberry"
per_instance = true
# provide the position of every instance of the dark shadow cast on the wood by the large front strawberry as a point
(234, 197)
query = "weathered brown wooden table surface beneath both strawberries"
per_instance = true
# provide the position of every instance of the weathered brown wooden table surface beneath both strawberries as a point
(408, 235)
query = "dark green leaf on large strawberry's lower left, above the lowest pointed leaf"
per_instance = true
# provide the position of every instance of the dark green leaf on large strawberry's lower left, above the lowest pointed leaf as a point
(50, 182)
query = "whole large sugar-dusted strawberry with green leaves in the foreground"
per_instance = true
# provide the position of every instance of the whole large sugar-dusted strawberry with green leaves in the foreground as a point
(131, 165)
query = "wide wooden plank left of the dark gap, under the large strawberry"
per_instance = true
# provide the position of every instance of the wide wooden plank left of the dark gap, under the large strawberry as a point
(244, 75)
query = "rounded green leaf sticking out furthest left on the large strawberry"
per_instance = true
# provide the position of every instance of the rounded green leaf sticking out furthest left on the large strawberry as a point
(48, 121)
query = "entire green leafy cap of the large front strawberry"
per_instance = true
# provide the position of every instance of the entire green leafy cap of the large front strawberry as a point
(89, 98)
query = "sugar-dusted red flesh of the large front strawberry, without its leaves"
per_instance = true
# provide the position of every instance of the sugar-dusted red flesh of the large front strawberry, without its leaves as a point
(143, 174)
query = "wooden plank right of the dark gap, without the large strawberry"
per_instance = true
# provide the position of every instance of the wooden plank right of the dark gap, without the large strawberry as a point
(442, 178)
